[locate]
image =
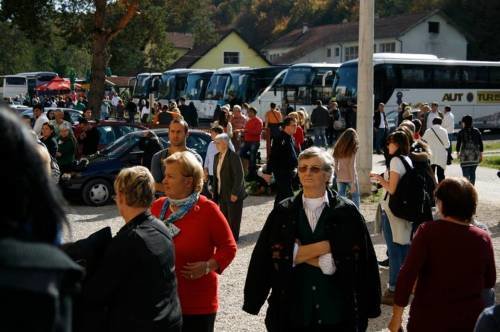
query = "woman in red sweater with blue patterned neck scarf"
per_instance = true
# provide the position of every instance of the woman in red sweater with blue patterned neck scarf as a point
(204, 244)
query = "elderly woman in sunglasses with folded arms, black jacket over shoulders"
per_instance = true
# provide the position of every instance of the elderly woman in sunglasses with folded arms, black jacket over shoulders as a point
(315, 256)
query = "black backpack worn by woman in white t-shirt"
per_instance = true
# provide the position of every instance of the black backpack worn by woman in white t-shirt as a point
(413, 199)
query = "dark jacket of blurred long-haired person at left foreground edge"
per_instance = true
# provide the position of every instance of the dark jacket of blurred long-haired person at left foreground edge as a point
(37, 285)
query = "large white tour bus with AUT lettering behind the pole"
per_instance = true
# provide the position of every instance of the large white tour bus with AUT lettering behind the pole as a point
(468, 87)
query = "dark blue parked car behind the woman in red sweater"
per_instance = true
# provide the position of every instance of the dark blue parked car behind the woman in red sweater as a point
(93, 179)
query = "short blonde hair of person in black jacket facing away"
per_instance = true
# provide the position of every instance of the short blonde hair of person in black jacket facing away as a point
(137, 185)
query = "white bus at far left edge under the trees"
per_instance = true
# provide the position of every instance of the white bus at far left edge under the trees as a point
(23, 84)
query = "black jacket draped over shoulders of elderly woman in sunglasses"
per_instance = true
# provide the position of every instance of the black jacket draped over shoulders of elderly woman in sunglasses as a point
(271, 263)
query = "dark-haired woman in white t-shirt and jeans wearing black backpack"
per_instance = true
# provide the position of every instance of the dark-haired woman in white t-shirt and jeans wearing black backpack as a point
(397, 231)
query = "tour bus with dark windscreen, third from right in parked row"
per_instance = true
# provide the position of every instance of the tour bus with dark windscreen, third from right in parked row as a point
(237, 85)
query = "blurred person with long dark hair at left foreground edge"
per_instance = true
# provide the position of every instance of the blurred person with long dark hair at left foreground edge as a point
(37, 280)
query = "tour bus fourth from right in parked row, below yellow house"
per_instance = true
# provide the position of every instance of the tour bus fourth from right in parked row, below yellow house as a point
(196, 88)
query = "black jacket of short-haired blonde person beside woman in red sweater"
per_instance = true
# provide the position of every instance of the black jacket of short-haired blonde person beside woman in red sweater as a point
(134, 287)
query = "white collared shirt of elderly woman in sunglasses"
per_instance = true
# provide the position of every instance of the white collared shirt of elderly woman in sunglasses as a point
(313, 207)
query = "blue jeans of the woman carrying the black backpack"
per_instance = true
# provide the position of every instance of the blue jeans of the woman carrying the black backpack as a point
(396, 252)
